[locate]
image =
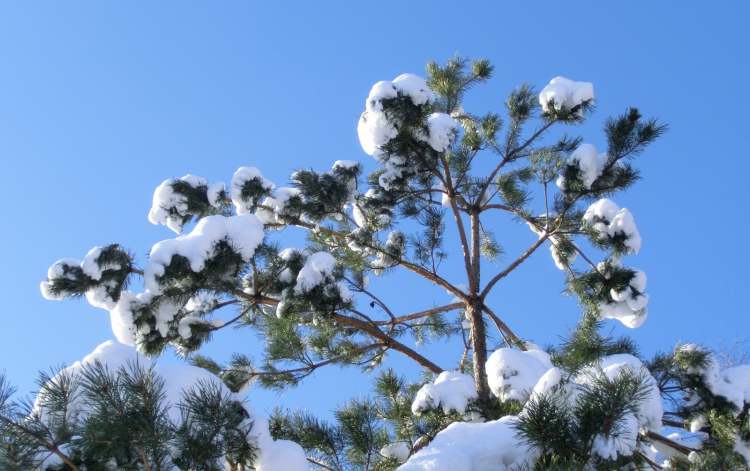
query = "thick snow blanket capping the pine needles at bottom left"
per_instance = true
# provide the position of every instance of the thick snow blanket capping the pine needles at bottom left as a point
(274, 455)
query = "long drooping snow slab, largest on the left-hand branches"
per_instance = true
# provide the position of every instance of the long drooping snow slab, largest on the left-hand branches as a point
(244, 233)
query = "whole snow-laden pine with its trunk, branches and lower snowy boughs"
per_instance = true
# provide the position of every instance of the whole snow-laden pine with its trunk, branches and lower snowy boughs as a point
(443, 174)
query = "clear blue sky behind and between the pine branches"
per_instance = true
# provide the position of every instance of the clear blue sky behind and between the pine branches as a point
(101, 101)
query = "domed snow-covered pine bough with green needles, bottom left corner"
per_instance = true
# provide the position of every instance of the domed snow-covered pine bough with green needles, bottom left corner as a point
(117, 406)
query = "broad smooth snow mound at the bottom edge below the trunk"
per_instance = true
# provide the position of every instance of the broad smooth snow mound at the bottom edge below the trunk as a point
(464, 446)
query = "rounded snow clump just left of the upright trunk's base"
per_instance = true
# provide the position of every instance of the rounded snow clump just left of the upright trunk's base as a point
(451, 390)
